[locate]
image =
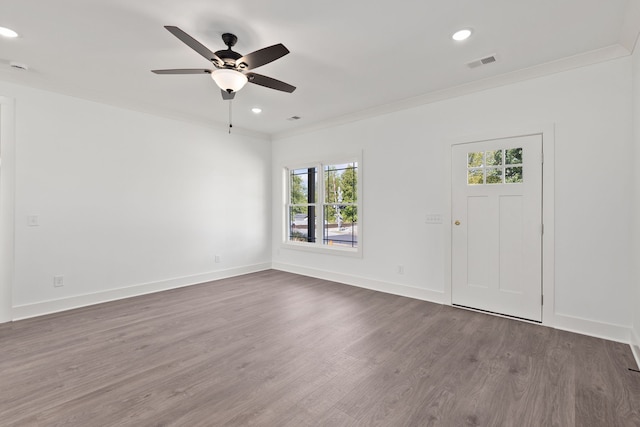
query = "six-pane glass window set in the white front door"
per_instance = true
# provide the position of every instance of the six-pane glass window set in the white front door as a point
(495, 167)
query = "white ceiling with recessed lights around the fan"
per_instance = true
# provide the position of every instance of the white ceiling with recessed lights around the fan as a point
(346, 56)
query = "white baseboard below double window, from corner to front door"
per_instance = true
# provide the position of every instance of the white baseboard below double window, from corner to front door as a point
(363, 282)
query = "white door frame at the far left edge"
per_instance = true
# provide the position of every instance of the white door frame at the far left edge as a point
(7, 200)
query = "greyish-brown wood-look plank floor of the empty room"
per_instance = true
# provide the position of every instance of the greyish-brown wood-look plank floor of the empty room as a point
(278, 349)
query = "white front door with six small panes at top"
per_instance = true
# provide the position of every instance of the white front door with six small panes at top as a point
(497, 226)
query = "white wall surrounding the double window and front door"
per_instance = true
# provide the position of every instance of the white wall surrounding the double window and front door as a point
(404, 170)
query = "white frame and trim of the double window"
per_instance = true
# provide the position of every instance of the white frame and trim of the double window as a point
(318, 246)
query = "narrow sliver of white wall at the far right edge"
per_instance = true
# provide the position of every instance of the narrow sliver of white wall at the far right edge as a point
(635, 339)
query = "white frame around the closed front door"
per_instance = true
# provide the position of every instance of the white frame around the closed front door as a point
(547, 131)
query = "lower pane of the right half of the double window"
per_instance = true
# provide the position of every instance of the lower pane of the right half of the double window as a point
(340, 226)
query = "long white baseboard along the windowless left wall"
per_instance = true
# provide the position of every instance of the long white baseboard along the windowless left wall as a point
(63, 304)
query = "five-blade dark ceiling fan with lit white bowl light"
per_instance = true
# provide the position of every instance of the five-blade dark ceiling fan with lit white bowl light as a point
(232, 70)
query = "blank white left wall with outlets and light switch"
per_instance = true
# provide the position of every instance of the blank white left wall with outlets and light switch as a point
(129, 203)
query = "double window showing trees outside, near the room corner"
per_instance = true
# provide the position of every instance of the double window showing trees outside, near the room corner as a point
(322, 206)
